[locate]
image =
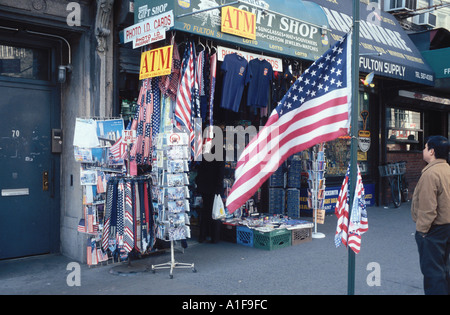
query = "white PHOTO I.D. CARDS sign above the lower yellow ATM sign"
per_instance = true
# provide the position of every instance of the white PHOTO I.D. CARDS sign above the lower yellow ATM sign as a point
(149, 31)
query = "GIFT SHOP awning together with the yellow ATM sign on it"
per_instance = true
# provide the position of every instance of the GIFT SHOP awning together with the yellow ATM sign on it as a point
(273, 32)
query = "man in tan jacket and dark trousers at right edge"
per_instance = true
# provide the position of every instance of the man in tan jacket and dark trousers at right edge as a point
(430, 210)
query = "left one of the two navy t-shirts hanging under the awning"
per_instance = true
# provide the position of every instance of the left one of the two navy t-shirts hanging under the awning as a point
(235, 68)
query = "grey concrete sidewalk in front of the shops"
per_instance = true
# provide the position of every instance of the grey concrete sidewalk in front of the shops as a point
(316, 267)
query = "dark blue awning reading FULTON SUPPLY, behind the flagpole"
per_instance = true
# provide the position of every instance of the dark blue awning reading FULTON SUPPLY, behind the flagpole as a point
(380, 33)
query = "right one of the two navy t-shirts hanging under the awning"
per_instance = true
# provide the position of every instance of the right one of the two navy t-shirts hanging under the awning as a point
(259, 83)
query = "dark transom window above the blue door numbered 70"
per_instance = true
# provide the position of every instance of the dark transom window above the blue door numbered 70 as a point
(23, 62)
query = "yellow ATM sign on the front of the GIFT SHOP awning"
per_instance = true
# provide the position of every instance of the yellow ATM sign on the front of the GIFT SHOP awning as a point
(238, 22)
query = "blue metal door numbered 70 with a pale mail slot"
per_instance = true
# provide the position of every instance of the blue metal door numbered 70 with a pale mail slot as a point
(29, 107)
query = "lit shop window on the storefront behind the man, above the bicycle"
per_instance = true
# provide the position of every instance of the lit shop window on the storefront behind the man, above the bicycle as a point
(403, 129)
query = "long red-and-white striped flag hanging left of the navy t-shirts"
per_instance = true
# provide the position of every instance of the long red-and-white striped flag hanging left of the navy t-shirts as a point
(183, 107)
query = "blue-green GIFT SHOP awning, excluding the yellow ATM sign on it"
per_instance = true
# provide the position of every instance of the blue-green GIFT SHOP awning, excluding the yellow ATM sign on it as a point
(292, 28)
